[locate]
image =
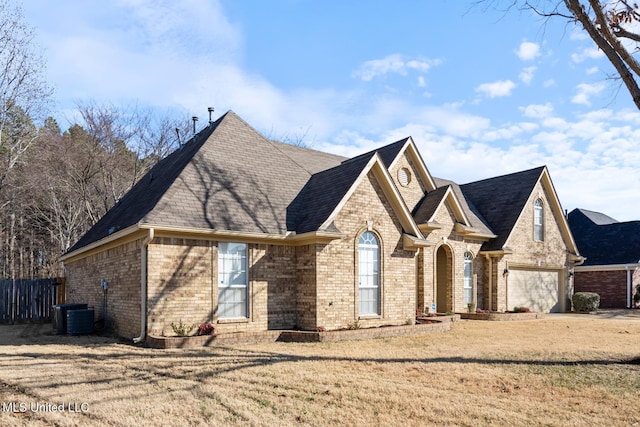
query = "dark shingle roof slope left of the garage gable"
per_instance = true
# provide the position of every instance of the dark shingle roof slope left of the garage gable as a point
(500, 201)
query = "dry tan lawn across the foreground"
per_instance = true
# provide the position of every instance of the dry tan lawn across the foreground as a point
(562, 370)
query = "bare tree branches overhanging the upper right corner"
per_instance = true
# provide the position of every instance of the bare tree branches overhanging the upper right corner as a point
(612, 25)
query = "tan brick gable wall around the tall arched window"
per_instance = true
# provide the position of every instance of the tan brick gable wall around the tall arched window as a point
(337, 283)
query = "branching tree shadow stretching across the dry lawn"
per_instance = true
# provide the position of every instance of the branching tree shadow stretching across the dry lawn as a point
(146, 370)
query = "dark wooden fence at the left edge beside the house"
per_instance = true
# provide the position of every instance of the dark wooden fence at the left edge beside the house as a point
(29, 300)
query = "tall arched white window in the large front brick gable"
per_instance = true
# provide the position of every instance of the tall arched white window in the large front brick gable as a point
(369, 274)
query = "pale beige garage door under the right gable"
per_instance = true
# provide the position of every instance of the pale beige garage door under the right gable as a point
(537, 289)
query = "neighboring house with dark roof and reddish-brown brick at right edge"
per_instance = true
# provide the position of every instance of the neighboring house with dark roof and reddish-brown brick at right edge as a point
(612, 252)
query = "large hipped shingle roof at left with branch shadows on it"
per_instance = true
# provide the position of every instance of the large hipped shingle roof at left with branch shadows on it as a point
(228, 177)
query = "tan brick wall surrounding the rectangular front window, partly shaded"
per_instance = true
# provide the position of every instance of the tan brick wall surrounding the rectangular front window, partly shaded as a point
(183, 286)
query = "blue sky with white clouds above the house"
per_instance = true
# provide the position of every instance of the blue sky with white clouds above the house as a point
(482, 93)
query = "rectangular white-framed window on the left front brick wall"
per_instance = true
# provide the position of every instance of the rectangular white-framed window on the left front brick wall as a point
(233, 281)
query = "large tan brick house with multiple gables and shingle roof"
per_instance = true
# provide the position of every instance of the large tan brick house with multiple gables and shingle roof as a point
(256, 235)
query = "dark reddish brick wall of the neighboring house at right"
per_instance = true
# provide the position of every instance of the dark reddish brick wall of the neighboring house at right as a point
(610, 285)
